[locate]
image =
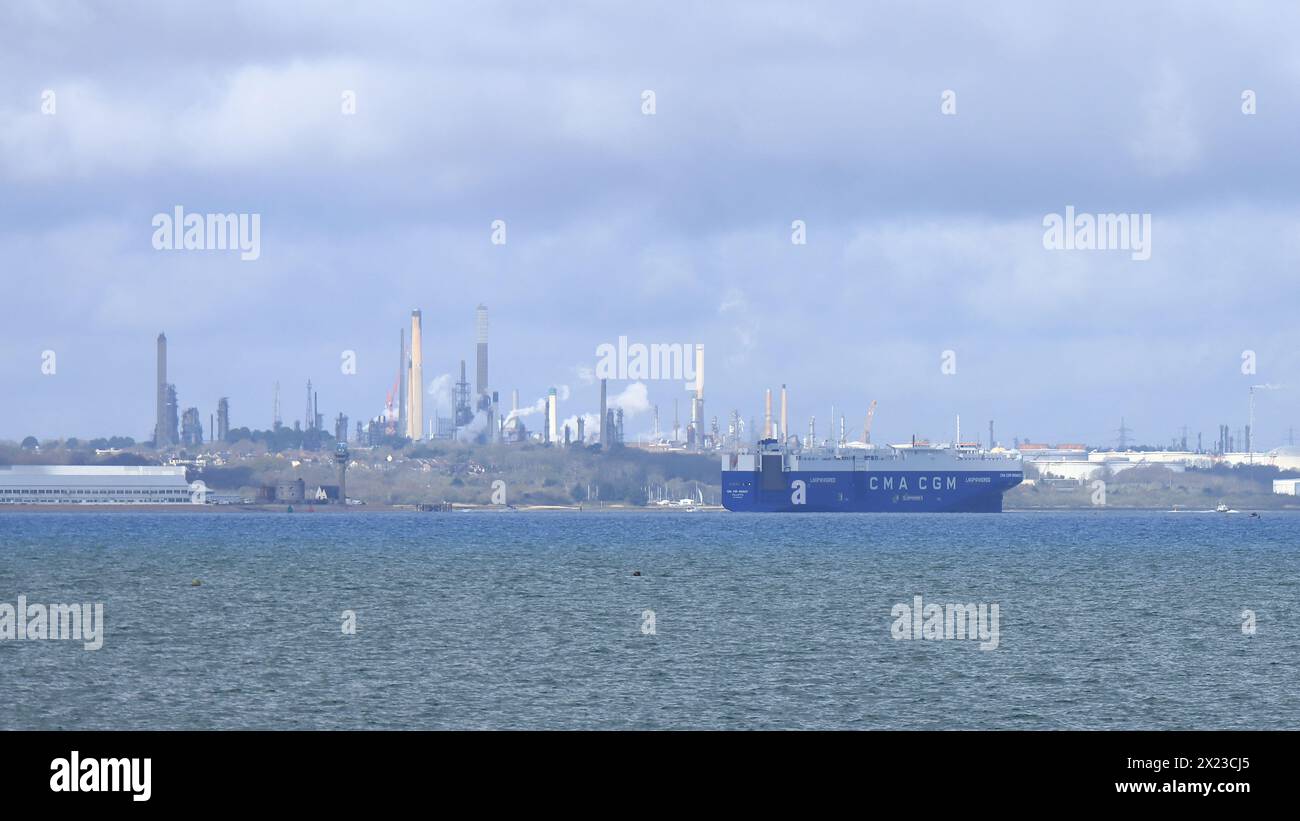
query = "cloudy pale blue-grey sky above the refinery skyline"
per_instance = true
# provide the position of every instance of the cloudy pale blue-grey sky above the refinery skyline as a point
(922, 146)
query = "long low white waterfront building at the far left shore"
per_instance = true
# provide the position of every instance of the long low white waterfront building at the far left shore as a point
(98, 485)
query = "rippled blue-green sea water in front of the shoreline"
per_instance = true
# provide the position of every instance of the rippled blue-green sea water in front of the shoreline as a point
(1108, 620)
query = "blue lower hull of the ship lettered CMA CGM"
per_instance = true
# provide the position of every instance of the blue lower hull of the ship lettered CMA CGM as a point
(869, 492)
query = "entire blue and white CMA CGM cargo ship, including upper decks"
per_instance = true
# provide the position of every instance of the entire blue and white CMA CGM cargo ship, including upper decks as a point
(869, 479)
